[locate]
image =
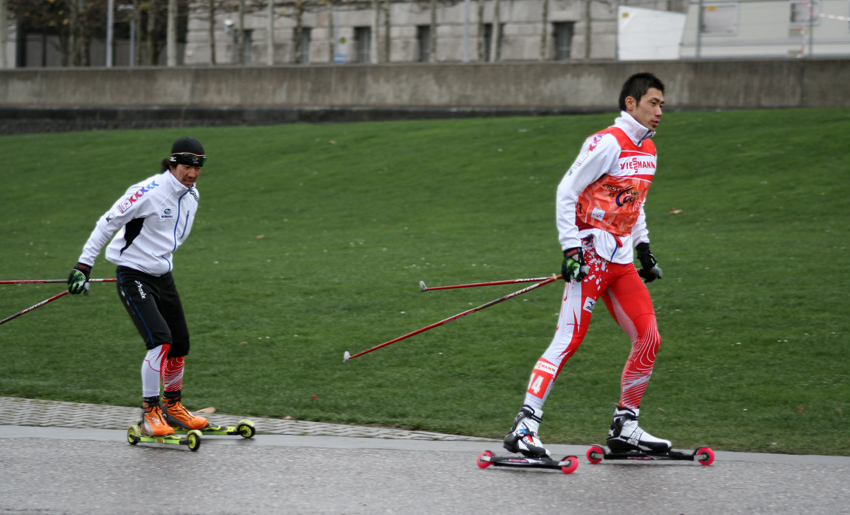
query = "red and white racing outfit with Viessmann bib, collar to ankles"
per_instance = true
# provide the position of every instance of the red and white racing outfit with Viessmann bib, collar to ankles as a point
(600, 208)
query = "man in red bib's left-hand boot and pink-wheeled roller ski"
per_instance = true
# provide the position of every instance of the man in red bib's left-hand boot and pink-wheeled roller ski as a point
(522, 439)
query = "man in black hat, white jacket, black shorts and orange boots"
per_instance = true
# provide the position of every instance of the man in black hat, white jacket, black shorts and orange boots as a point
(153, 218)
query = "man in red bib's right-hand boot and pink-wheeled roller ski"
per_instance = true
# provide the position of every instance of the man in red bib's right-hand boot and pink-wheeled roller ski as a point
(627, 441)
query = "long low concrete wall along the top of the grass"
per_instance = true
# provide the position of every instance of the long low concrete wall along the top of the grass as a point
(254, 94)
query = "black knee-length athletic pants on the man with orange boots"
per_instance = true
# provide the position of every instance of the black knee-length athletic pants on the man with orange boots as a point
(154, 306)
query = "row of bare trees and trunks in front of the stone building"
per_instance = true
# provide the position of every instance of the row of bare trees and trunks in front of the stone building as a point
(76, 23)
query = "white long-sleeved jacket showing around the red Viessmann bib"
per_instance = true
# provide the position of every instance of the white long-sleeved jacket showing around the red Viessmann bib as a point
(599, 155)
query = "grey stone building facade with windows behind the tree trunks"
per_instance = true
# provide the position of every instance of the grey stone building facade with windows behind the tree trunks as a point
(403, 32)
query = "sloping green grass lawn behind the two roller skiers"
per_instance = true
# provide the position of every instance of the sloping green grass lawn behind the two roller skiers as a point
(312, 239)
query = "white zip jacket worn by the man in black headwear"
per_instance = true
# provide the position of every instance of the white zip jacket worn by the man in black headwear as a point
(152, 218)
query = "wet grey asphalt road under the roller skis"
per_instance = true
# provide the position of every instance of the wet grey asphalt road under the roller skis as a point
(49, 471)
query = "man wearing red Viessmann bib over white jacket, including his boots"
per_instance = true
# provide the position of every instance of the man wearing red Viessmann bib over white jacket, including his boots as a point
(601, 223)
